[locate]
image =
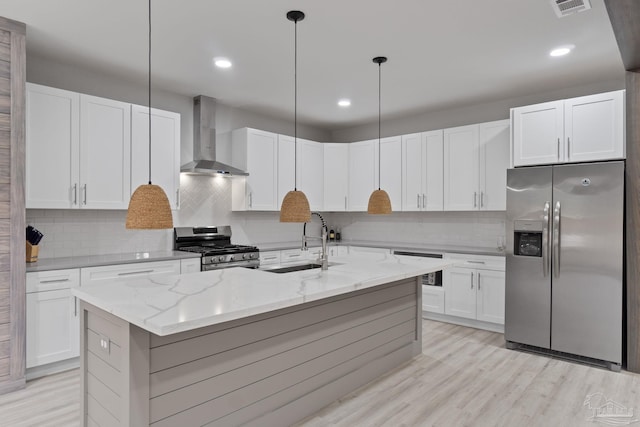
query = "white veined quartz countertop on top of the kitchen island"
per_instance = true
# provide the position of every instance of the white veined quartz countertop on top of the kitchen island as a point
(169, 304)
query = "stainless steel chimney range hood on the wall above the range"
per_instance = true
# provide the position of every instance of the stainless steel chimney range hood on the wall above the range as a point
(204, 142)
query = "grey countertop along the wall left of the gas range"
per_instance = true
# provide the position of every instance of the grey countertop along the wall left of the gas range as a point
(45, 264)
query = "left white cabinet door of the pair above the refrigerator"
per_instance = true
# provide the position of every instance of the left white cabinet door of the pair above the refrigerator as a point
(538, 134)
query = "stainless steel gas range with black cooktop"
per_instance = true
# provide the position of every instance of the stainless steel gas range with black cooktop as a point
(214, 244)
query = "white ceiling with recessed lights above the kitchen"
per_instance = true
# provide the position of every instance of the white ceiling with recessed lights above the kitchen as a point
(442, 54)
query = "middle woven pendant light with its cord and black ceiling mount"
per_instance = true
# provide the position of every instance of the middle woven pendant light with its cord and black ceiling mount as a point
(295, 206)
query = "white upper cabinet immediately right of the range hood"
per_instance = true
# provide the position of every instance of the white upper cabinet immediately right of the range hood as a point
(256, 152)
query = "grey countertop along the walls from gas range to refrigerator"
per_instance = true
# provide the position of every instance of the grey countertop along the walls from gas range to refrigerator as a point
(427, 247)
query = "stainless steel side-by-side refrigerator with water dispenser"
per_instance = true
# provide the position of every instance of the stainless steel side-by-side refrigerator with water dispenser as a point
(564, 259)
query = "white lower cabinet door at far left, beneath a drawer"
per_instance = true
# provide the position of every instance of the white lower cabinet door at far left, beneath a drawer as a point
(53, 327)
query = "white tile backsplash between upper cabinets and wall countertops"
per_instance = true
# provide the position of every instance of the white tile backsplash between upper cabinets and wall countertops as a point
(206, 200)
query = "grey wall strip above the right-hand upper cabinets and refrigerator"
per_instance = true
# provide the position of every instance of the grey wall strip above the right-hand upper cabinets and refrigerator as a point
(466, 115)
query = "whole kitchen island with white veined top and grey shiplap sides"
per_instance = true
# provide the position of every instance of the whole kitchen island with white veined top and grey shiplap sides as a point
(245, 347)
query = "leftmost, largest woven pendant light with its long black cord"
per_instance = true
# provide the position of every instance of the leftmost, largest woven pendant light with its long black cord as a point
(149, 207)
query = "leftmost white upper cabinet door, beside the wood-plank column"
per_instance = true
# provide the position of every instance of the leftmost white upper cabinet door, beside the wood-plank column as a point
(52, 141)
